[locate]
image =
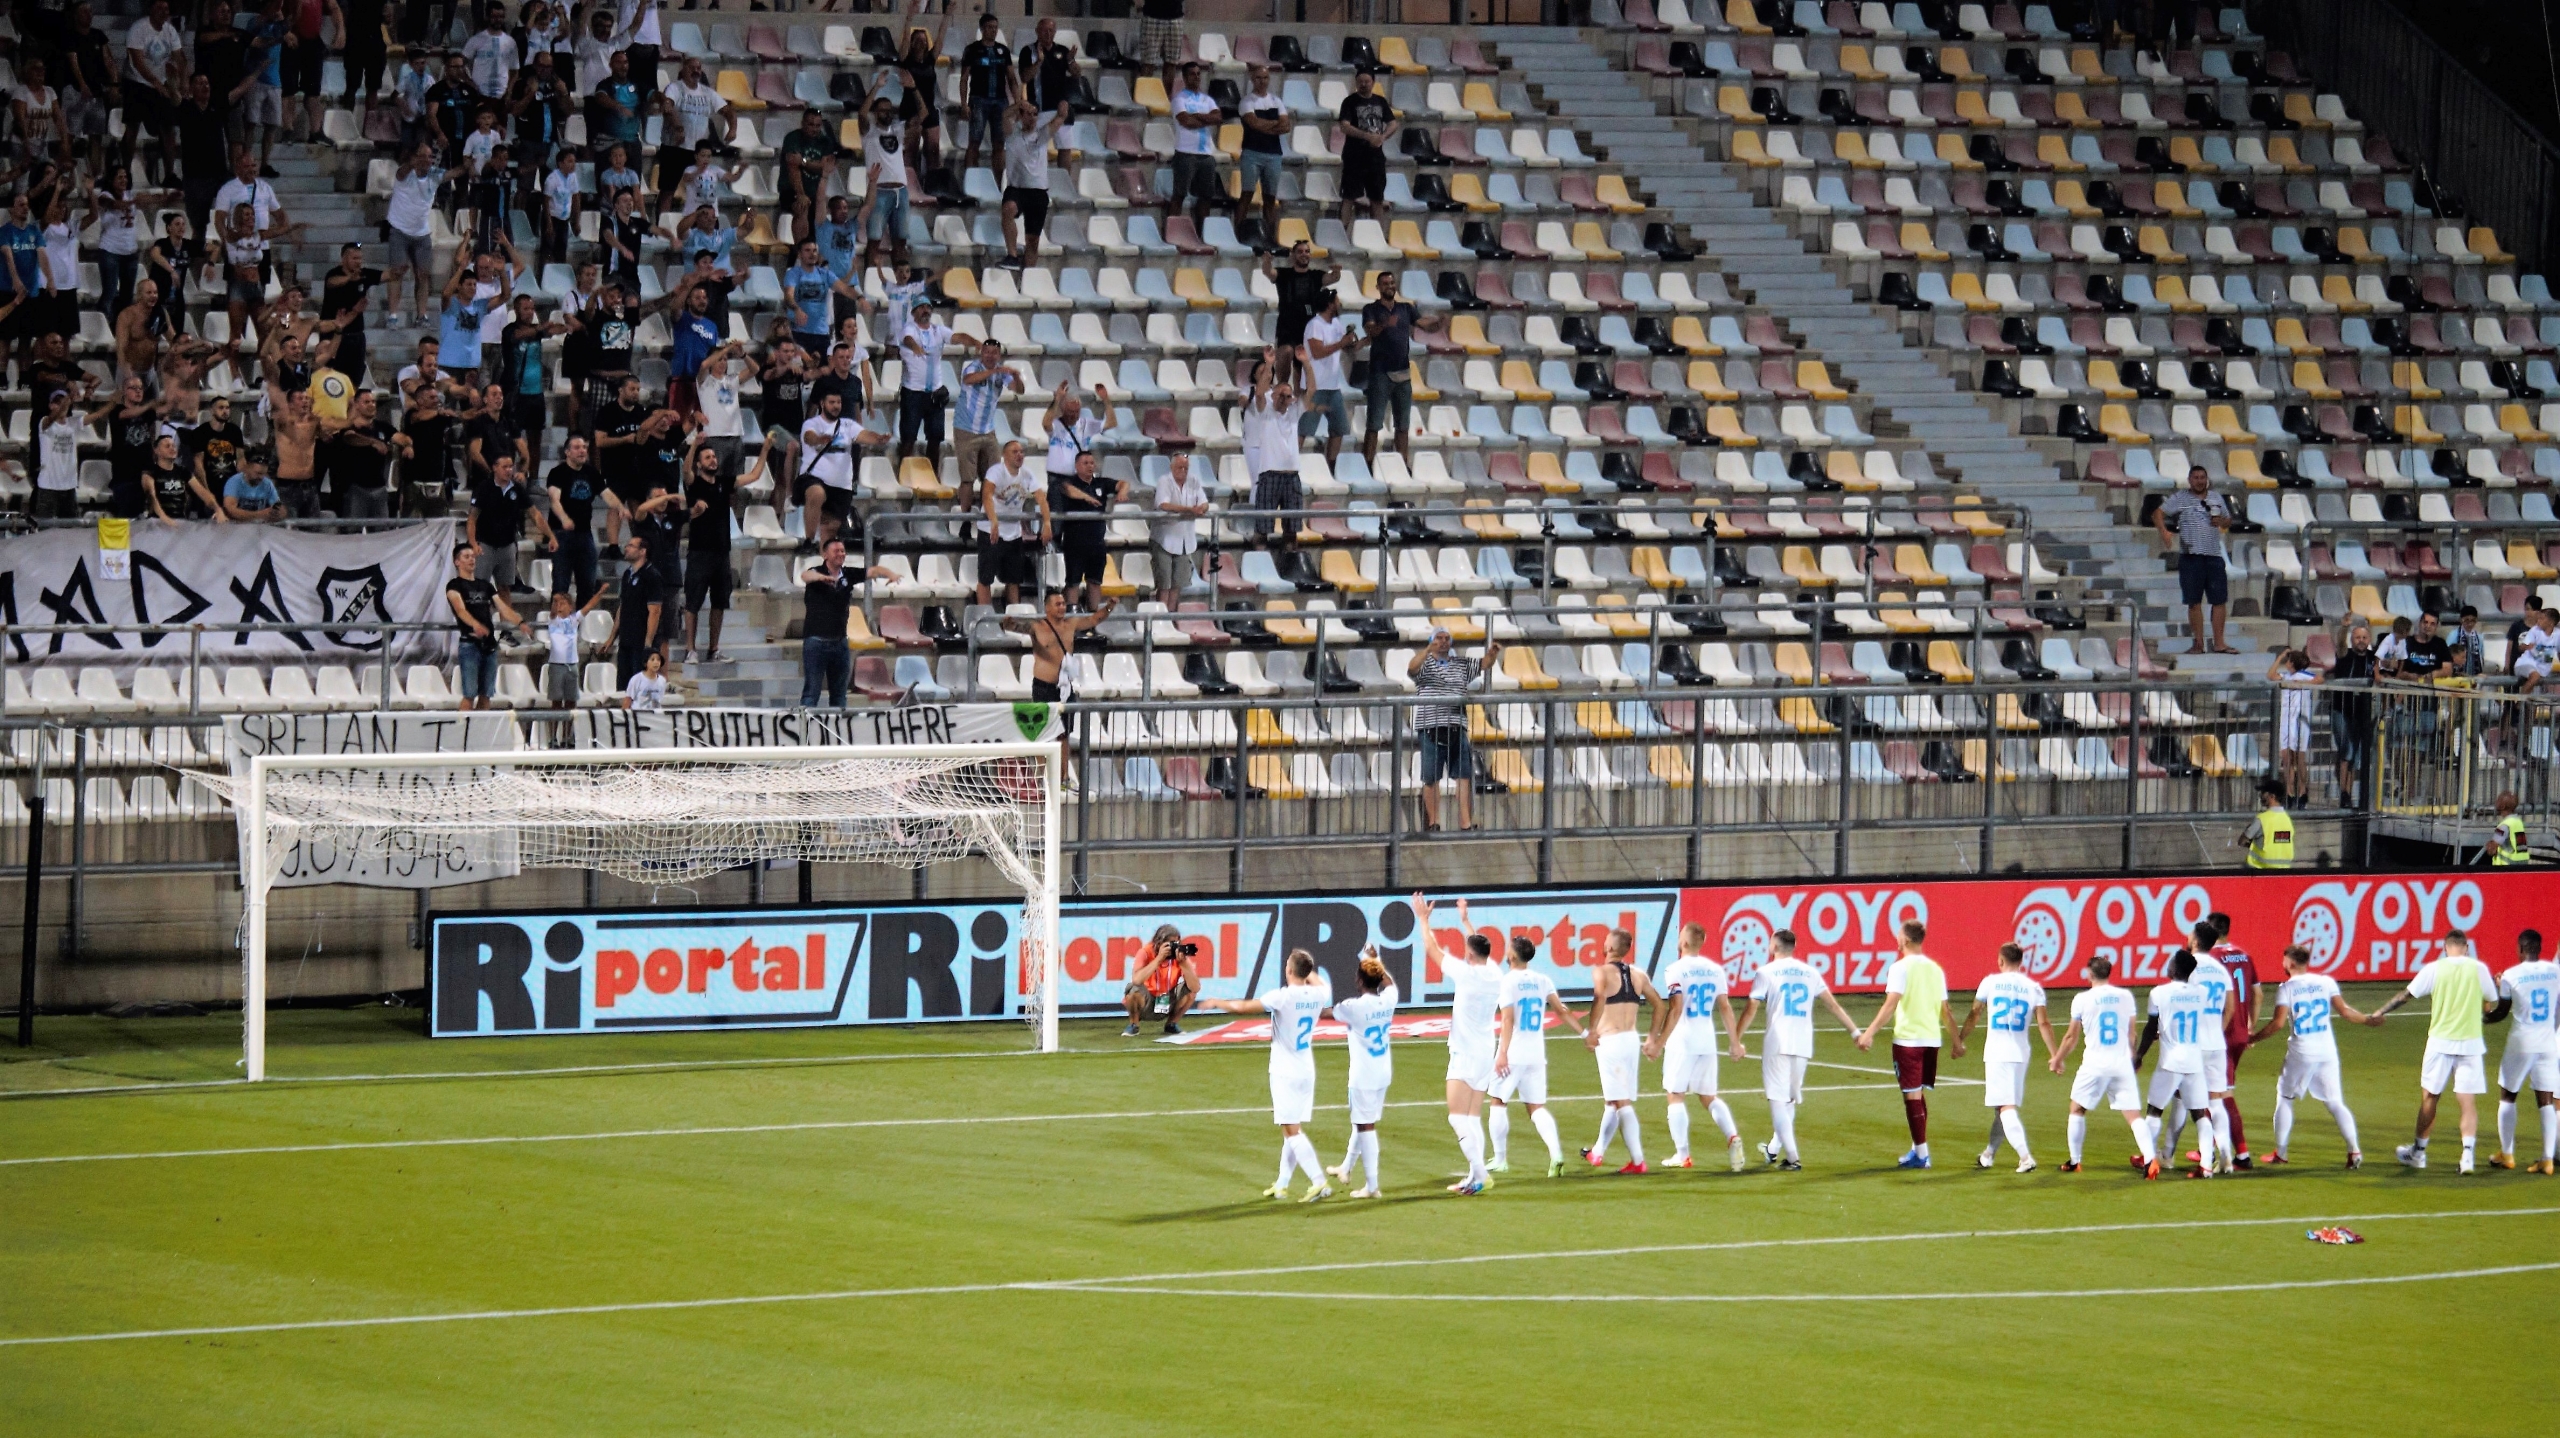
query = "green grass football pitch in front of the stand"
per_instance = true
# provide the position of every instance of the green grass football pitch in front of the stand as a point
(933, 1232)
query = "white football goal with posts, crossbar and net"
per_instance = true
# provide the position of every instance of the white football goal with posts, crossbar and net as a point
(664, 818)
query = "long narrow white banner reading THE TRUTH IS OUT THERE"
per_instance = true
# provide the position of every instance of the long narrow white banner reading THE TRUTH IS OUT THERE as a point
(815, 728)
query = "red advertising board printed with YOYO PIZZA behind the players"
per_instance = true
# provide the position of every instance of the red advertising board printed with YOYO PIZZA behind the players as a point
(2359, 928)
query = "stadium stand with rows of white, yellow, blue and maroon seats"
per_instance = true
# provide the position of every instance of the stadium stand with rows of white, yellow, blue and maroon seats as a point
(1788, 349)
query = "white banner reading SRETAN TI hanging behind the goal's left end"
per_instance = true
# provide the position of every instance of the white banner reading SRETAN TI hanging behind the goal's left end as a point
(398, 858)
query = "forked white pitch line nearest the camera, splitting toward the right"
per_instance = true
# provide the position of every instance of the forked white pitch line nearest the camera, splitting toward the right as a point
(1110, 1286)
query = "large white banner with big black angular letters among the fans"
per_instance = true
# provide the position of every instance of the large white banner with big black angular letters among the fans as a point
(229, 574)
